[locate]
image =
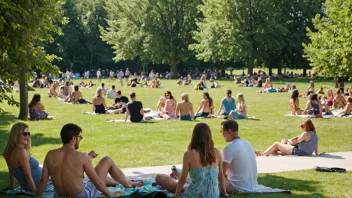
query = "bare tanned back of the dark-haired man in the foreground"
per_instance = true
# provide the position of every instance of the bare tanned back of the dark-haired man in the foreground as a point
(66, 167)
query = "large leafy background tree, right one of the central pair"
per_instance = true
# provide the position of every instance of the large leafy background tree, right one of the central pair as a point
(246, 31)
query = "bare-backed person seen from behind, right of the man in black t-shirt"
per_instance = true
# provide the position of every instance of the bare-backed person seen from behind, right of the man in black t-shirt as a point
(184, 109)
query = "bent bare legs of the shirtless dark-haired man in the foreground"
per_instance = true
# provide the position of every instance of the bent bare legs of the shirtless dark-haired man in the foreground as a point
(107, 165)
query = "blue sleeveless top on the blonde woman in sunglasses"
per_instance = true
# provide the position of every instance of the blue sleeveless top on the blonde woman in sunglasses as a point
(36, 172)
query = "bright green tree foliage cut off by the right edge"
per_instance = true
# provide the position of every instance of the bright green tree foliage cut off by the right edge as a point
(330, 52)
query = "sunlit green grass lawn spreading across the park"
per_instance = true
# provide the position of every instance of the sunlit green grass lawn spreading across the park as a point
(164, 142)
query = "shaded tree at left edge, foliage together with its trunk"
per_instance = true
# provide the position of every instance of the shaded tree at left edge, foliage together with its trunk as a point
(22, 26)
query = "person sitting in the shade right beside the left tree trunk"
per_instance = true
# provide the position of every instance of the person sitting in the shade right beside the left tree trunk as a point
(36, 109)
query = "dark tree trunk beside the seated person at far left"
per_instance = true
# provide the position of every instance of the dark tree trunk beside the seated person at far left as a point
(23, 97)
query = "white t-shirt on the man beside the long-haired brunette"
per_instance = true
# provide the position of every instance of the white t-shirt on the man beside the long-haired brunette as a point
(242, 173)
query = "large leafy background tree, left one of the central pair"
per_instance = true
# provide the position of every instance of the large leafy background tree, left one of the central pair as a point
(155, 31)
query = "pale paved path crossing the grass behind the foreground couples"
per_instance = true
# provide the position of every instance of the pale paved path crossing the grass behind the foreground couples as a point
(265, 164)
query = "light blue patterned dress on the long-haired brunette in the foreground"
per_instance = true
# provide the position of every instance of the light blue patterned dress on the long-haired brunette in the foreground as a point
(204, 184)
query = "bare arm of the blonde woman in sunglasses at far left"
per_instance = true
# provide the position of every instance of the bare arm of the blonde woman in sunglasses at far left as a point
(24, 164)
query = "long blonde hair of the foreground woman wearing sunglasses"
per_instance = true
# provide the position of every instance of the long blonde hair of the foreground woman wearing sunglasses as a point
(12, 143)
